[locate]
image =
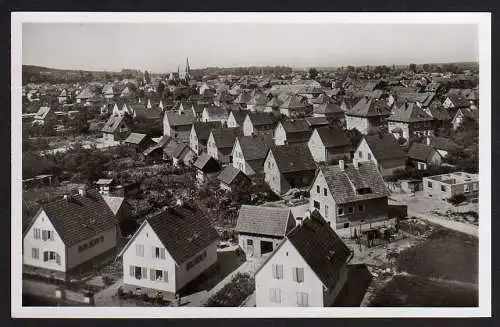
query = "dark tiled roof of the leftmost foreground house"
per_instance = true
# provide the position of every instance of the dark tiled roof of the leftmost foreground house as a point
(78, 217)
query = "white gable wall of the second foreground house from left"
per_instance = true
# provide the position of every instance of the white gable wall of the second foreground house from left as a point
(147, 237)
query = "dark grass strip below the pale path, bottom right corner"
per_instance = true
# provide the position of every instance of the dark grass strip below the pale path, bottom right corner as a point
(414, 291)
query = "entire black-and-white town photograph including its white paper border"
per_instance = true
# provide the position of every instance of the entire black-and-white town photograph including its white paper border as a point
(251, 165)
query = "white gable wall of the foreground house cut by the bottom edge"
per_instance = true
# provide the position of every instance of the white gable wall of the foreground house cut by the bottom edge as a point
(289, 257)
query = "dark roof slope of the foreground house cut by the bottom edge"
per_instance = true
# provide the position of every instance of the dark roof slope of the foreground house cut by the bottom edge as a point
(321, 248)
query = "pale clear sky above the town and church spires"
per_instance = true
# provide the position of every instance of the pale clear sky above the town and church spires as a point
(163, 47)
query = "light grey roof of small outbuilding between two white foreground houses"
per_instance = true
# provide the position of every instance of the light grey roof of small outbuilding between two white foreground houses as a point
(269, 221)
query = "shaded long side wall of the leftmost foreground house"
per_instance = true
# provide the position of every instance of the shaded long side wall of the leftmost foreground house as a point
(75, 258)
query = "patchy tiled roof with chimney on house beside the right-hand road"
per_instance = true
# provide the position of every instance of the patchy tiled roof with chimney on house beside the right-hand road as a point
(343, 184)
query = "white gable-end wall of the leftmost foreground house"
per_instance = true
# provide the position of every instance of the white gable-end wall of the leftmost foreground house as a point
(57, 245)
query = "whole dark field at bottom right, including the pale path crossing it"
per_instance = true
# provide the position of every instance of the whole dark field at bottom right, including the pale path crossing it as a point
(442, 271)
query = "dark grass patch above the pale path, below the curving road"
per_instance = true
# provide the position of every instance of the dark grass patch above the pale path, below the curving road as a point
(445, 255)
